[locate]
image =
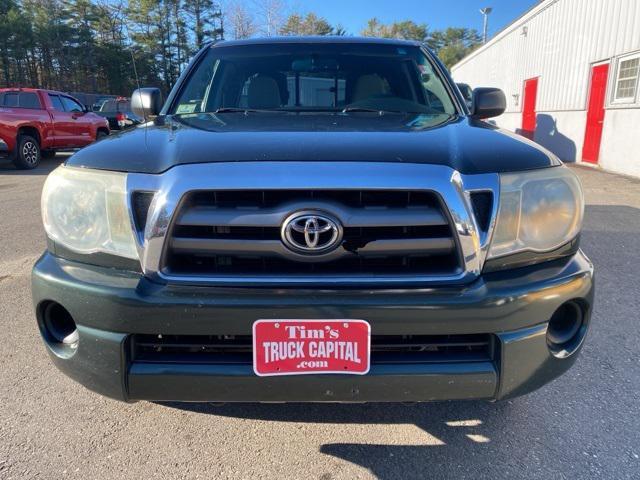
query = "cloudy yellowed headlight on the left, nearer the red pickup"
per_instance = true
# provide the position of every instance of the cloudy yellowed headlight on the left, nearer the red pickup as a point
(86, 211)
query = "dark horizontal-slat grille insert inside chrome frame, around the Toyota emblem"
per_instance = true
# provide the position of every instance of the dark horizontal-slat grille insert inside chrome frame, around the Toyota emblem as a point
(385, 232)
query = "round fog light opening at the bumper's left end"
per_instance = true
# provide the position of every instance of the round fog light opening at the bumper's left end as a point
(58, 328)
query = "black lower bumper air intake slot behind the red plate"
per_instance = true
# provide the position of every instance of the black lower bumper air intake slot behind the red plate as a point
(385, 349)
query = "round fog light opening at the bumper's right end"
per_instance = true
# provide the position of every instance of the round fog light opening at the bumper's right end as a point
(566, 329)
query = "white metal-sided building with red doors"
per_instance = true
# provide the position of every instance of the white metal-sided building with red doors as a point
(569, 70)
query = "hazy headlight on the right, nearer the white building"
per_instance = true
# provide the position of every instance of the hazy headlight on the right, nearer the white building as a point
(539, 211)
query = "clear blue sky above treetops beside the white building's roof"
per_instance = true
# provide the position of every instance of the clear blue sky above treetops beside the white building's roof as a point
(353, 14)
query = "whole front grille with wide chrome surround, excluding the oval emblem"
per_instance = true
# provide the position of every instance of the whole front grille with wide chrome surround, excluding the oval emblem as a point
(403, 224)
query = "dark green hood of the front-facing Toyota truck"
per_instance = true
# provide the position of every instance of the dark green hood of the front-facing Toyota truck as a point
(466, 145)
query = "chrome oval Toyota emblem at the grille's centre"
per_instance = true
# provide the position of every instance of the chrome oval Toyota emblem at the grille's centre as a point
(311, 232)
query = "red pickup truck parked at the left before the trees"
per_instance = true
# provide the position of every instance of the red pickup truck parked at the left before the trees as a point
(36, 123)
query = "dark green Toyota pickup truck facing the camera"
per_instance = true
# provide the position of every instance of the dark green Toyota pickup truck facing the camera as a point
(313, 219)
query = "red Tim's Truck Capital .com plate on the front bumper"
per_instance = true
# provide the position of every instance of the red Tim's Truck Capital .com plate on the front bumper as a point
(298, 347)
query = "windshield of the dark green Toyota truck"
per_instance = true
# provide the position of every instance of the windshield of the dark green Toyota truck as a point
(338, 77)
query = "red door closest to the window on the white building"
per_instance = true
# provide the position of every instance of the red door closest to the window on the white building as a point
(595, 113)
